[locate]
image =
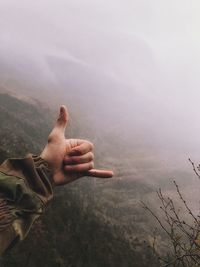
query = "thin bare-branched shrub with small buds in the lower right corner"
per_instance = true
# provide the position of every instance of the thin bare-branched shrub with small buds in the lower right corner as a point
(183, 231)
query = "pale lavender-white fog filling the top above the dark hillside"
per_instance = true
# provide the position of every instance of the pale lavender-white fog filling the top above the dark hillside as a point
(131, 66)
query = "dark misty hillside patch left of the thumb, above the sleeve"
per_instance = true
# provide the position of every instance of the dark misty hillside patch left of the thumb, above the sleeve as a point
(24, 126)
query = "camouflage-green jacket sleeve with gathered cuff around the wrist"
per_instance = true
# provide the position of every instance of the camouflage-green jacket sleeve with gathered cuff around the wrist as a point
(25, 190)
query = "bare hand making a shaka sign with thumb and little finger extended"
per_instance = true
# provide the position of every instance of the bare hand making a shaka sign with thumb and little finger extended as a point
(70, 159)
